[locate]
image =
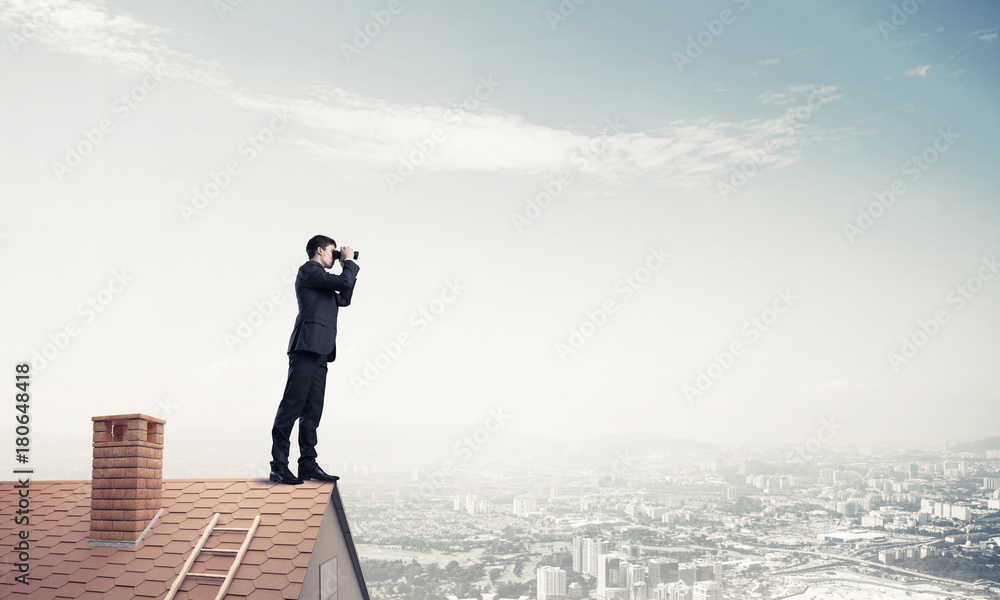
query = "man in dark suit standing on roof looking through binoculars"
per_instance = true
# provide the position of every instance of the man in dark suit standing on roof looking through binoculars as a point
(313, 344)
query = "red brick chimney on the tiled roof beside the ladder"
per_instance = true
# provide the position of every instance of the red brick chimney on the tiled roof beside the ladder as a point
(127, 489)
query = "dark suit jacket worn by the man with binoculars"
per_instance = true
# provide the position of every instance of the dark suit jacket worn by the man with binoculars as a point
(320, 294)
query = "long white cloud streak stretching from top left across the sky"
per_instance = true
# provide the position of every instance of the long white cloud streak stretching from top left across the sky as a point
(369, 135)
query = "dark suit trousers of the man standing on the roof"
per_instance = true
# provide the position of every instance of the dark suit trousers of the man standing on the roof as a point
(302, 401)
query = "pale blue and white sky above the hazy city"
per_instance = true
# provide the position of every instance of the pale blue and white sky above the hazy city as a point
(730, 221)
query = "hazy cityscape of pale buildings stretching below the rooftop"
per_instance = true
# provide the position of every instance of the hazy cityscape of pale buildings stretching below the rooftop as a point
(693, 522)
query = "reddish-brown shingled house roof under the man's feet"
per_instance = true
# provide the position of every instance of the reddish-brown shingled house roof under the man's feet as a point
(283, 550)
